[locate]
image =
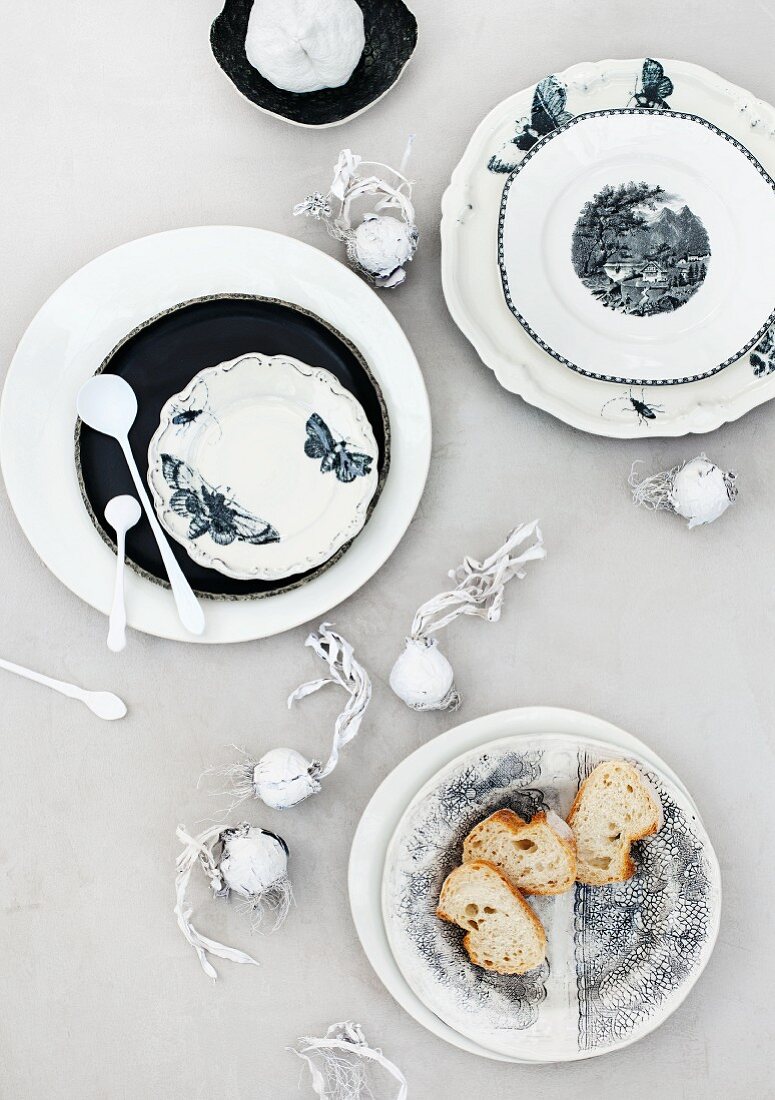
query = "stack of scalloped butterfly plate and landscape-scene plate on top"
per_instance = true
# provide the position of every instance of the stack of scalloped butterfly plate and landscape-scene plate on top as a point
(608, 247)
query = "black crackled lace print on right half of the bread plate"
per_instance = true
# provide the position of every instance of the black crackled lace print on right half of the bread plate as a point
(638, 942)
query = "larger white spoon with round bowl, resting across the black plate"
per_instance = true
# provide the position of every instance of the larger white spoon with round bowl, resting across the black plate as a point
(108, 404)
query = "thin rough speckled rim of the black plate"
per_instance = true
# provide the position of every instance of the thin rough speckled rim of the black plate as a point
(241, 597)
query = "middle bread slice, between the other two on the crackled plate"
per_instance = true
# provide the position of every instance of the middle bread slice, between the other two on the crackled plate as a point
(537, 857)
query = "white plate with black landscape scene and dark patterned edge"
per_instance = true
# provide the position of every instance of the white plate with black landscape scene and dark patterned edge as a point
(607, 232)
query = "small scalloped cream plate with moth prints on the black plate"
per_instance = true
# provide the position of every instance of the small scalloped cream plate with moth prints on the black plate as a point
(263, 467)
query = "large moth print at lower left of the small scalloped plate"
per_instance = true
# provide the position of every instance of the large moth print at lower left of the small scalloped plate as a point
(211, 511)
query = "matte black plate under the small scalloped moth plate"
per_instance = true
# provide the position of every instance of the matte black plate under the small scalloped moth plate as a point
(160, 359)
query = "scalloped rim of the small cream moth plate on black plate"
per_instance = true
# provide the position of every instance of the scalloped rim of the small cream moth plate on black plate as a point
(195, 549)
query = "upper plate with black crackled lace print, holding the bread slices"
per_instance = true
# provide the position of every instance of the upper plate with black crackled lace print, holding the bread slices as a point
(621, 959)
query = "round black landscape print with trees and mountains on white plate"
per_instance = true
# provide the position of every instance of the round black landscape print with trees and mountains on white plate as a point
(640, 250)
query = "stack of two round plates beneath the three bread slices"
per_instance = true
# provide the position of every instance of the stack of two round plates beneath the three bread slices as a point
(621, 960)
